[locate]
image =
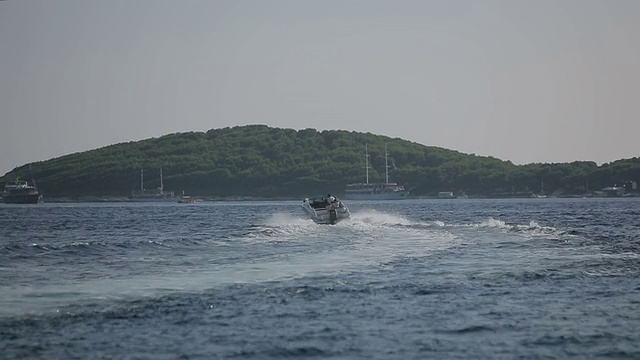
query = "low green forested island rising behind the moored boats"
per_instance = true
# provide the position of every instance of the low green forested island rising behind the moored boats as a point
(257, 161)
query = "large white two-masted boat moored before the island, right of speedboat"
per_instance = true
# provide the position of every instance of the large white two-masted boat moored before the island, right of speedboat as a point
(376, 191)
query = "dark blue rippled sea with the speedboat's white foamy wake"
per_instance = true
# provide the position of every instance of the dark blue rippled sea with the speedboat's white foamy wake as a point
(413, 279)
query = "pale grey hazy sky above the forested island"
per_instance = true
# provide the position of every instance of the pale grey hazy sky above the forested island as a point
(526, 81)
